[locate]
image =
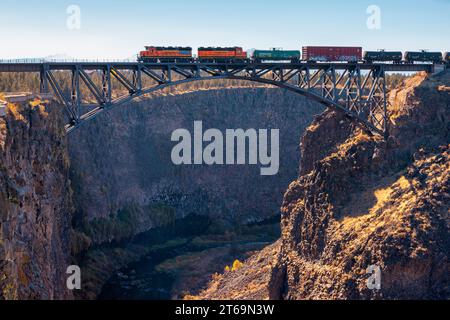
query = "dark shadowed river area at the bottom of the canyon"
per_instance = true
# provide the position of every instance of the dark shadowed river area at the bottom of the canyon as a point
(184, 258)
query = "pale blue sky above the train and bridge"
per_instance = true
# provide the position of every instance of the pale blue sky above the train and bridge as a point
(118, 29)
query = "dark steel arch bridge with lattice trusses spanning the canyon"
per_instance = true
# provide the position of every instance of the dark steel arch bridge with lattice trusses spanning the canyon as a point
(358, 90)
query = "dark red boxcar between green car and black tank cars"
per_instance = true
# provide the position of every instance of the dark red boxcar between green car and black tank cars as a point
(346, 54)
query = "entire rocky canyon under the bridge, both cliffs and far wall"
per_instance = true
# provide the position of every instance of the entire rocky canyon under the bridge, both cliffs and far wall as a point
(99, 198)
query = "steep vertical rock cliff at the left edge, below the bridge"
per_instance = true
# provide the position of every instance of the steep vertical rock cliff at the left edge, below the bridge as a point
(35, 206)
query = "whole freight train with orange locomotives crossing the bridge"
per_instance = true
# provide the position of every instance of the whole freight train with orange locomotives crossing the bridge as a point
(309, 53)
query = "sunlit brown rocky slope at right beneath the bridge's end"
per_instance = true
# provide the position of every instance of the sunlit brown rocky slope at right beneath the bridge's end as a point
(362, 202)
